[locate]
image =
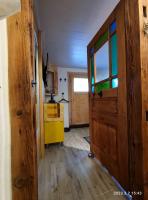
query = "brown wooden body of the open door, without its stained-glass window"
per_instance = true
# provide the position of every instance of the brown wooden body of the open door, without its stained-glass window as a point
(108, 125)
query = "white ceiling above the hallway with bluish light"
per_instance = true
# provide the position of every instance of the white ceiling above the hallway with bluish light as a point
(68, 26)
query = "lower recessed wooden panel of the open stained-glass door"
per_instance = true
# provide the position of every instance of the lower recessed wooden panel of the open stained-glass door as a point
(104, 145)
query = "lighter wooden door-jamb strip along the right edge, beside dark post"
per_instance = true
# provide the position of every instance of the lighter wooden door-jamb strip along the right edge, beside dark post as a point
(144, 84)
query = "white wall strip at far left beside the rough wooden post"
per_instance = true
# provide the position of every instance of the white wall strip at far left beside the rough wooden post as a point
(5, 144)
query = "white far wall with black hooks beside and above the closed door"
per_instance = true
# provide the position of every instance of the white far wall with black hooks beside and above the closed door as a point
(63, 87)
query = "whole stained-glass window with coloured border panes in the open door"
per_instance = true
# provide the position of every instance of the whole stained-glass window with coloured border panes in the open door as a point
(104, 61)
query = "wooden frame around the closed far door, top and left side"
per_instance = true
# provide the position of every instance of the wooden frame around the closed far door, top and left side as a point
(71, 75)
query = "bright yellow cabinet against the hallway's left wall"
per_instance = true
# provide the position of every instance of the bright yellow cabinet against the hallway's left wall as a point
(54, 123)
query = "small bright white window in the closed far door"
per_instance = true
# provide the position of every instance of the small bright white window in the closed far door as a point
(81, 85)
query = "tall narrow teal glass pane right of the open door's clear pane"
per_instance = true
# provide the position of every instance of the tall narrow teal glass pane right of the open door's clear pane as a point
(114, 55)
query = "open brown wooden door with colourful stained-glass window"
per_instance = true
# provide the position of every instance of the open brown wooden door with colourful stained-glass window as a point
(108, 105)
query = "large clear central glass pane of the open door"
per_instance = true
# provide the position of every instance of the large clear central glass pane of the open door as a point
(102, 63)
